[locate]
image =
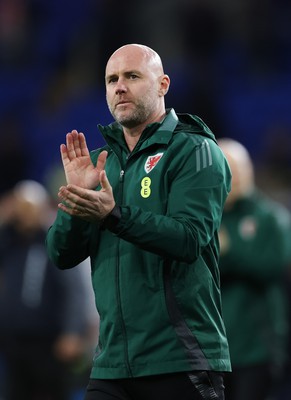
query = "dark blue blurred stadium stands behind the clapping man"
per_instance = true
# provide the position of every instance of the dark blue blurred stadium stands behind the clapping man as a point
(229, 62)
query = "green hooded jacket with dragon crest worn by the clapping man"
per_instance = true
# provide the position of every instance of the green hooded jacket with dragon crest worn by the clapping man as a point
(155, 274)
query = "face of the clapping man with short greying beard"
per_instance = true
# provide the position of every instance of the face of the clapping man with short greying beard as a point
(132, 88)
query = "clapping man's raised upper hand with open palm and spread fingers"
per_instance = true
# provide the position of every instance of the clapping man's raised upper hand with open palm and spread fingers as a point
(79, 169)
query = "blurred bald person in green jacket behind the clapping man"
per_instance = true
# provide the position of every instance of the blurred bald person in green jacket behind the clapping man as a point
(255, 246)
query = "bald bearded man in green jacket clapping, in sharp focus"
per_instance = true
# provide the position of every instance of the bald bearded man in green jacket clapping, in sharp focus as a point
(146, 208)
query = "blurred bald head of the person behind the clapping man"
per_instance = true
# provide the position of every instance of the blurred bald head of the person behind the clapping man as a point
(241, 167)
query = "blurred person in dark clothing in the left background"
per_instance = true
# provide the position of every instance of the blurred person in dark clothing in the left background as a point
(43, 311)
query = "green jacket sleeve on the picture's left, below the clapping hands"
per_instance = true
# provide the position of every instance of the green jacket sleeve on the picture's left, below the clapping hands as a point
(68, 240)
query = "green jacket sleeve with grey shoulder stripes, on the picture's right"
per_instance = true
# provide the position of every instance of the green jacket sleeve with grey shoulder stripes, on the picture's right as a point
(195, 201)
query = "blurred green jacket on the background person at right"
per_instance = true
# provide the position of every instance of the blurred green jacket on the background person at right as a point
(253, 270)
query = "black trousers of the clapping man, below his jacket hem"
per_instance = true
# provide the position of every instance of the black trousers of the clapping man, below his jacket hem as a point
(200, 385)
